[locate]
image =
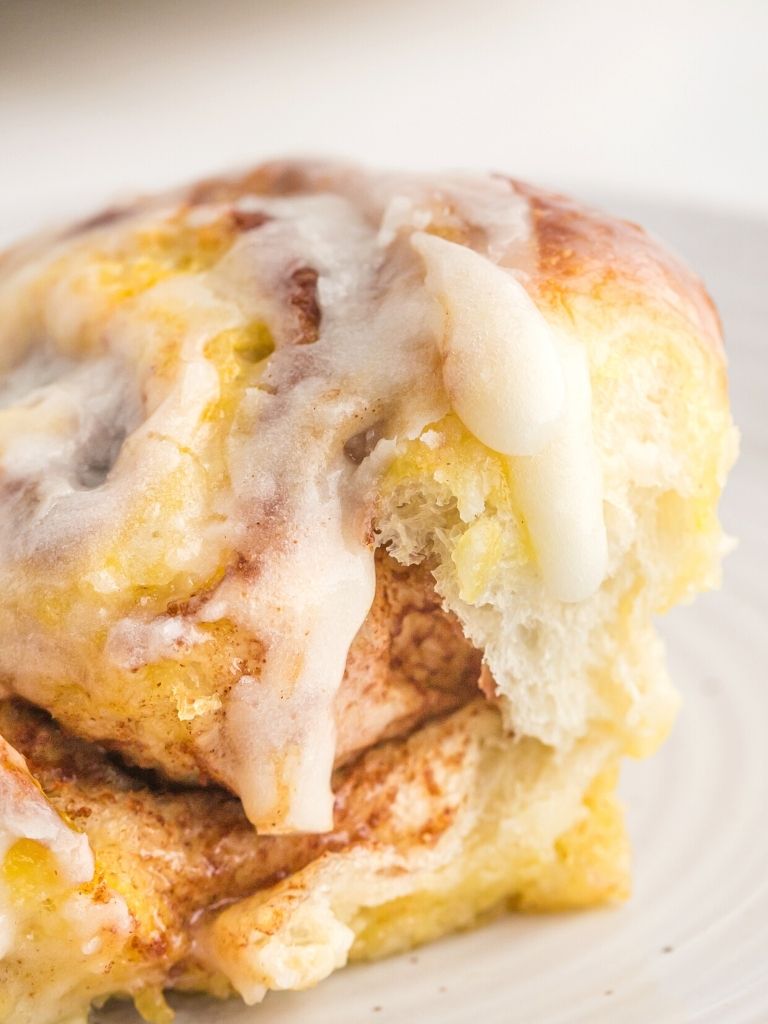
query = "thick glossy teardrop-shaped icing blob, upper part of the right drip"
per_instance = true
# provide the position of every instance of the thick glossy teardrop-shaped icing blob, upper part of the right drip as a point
(501, 367)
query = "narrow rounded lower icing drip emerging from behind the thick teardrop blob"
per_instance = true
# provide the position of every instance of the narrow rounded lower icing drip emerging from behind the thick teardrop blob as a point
(562, 495)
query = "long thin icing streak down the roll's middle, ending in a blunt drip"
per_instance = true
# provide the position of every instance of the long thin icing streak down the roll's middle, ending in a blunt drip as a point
(318, 585)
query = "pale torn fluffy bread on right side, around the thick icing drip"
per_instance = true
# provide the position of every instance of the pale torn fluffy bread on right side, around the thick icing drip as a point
(666, 442)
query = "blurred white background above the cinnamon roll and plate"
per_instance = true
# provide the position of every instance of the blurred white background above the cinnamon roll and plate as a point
(664, 100)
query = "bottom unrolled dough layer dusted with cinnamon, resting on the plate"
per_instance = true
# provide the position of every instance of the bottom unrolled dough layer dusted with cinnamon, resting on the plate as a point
(431, 832)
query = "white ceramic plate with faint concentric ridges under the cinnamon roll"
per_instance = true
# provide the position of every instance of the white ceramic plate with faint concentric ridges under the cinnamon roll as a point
(693, 944)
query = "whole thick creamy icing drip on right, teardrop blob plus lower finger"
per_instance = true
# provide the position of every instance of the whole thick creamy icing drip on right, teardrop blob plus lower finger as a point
(526, 394)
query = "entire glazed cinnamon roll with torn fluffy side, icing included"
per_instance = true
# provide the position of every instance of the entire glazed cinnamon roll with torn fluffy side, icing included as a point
(294, 465)
